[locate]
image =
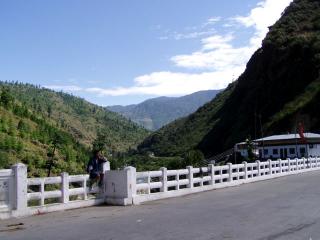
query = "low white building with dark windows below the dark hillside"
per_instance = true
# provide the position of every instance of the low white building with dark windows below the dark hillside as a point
(283, 146)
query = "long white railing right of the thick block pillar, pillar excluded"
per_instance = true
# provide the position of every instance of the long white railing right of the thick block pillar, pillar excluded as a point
(165, 183)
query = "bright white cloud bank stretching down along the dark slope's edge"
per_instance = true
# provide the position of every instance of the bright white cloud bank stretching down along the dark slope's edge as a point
(218, 58)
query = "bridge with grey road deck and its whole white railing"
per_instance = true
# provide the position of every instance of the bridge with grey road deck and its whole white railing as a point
(280, 201)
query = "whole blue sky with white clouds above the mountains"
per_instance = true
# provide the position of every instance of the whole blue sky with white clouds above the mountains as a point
(125, 51)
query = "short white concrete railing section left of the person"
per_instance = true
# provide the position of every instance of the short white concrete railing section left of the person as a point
(22, 196)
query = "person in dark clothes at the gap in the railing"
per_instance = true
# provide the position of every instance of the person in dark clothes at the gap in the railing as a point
(95, 168)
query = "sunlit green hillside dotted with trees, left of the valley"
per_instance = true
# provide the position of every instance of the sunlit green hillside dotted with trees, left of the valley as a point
(46, 129)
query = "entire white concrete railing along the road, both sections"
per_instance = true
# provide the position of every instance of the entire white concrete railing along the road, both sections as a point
(22, 196)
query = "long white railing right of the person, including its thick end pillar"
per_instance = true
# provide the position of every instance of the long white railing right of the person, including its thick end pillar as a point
(128, 187)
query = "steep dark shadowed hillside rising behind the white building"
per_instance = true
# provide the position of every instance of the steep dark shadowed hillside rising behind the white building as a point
(280, 87)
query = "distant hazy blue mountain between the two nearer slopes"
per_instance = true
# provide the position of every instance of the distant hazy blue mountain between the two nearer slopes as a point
(156, 112)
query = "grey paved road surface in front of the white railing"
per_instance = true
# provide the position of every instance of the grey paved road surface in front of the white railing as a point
(284, 208)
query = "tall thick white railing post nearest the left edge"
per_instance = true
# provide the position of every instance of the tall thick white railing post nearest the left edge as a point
(21, 188)
